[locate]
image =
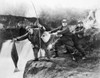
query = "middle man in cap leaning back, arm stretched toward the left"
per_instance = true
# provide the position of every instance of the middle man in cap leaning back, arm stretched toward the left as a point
(65, 39)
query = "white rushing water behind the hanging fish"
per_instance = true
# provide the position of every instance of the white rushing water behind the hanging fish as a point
(6, 64)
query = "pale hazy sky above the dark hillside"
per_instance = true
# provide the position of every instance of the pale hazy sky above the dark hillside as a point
(32, 8)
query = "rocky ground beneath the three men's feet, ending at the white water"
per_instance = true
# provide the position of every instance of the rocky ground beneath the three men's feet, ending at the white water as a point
(64, 67)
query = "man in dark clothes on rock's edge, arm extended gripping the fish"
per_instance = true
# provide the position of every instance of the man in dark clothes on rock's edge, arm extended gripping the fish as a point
(33, 35)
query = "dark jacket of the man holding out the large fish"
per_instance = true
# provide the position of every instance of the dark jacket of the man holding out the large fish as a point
(33, 38)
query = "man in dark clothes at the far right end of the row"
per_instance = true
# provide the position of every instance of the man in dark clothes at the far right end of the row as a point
(78, 38)
